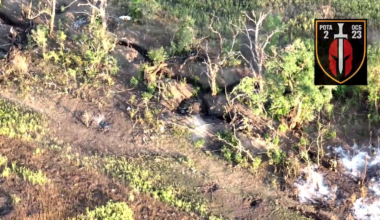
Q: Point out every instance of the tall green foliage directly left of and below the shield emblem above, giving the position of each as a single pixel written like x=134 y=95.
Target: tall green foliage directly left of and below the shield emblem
x=295 y=70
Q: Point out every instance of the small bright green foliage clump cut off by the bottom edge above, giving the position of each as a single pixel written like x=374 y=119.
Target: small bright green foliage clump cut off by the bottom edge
x=111 y=211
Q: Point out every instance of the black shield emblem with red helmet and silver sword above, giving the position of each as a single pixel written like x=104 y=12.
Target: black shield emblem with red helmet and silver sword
x=340 y=52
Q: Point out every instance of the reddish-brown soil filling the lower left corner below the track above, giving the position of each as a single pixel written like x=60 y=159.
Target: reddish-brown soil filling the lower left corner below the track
x=71 y=191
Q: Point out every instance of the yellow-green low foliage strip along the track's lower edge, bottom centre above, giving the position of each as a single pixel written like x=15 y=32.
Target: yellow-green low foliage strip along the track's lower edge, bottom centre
x=154 y=179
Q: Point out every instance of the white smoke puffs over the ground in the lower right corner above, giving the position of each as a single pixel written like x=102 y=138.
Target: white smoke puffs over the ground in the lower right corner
x=354 y=162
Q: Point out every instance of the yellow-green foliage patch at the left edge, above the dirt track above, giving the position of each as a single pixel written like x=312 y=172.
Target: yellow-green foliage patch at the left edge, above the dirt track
x=19 y=122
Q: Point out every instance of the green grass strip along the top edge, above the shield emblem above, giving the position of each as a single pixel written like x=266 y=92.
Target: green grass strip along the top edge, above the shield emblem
x=297 y=15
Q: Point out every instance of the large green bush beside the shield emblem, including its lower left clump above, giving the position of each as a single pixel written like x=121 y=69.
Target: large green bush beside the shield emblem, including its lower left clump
x=294 y=71
